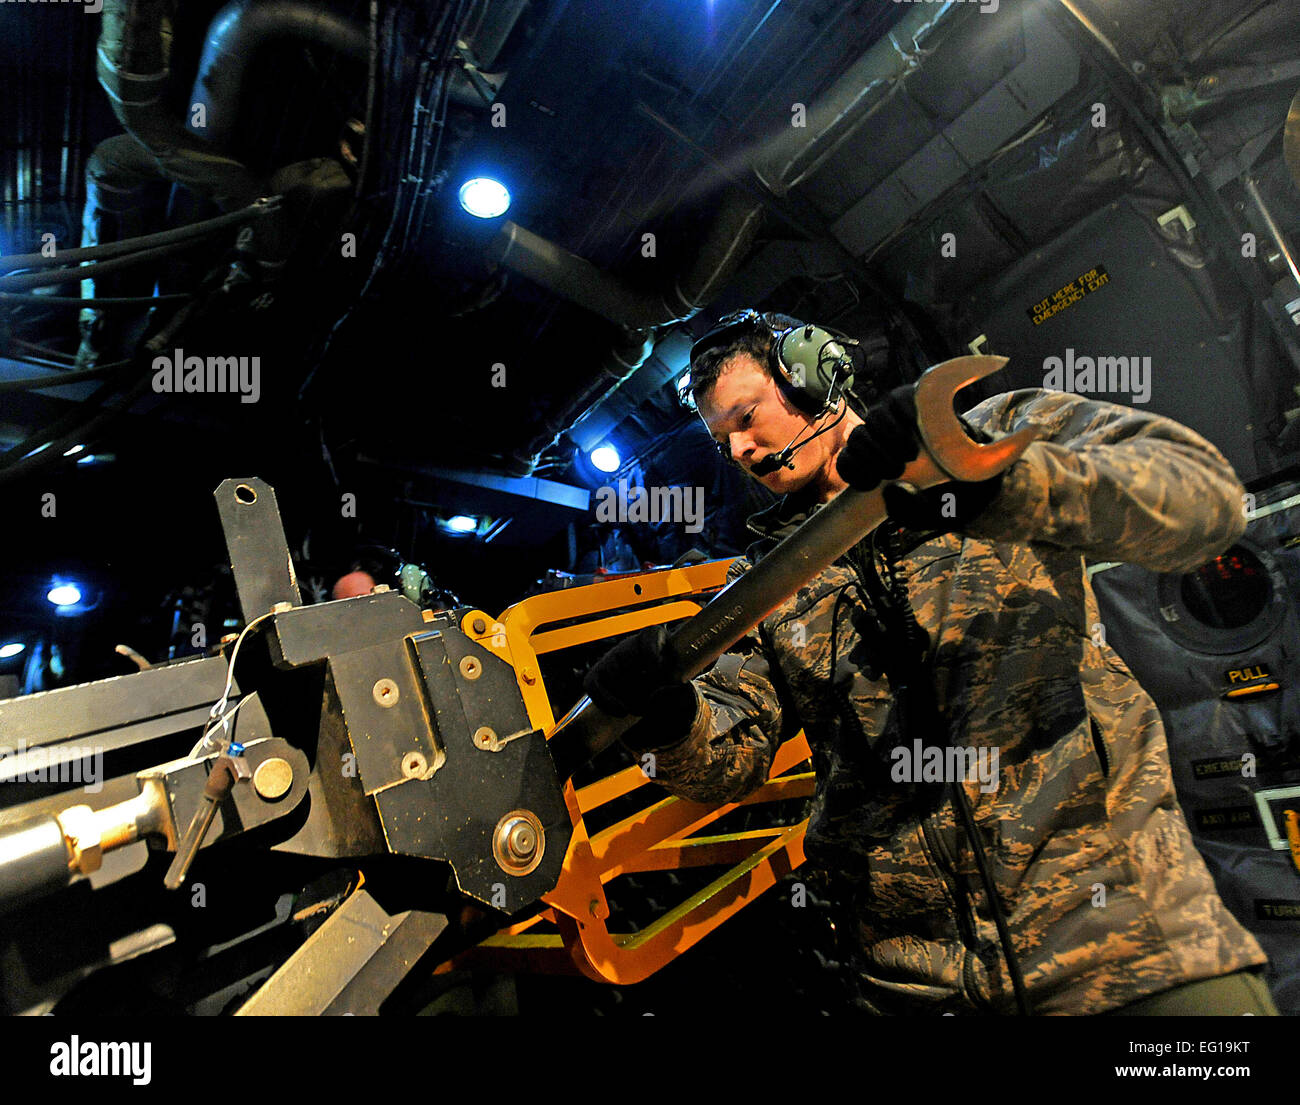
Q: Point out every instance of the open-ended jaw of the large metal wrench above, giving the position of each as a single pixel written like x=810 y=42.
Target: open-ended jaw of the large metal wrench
x=943 y=435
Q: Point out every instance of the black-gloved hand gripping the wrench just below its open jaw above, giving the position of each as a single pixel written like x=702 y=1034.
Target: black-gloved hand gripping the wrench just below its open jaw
x=882 y=448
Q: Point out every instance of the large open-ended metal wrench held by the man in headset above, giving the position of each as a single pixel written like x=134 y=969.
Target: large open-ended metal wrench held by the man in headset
x=947 y=454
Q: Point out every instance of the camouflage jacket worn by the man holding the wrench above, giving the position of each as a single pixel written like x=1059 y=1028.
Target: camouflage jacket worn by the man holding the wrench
x=1103 y=890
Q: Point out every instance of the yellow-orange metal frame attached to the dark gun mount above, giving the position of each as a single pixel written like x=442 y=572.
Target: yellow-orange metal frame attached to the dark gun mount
x=660 y=838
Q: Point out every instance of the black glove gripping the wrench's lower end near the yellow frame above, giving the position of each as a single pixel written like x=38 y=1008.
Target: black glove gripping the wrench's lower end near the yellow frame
x=636 y=678
